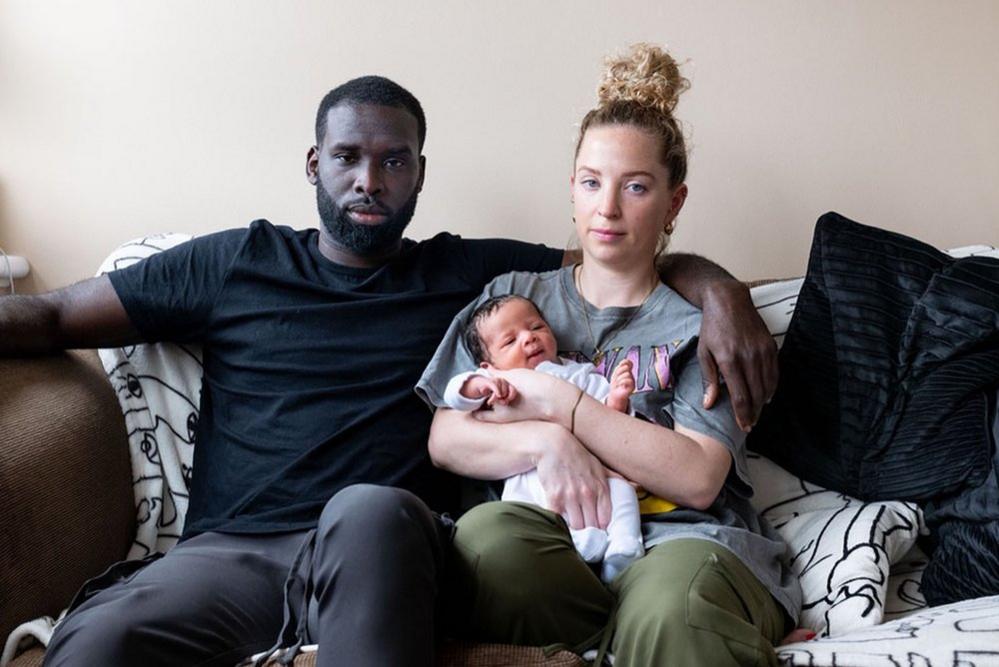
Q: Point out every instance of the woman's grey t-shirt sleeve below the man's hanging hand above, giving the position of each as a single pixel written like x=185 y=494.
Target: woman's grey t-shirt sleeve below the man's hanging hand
x=719 y=423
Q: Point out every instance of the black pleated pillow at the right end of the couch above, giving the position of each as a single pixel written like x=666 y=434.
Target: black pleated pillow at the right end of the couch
x=887 y=375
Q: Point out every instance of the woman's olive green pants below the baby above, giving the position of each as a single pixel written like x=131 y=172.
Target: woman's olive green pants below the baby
x=518 y=579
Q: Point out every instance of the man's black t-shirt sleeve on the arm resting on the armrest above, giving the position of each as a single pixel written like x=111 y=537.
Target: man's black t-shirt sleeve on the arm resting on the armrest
x=170 y=296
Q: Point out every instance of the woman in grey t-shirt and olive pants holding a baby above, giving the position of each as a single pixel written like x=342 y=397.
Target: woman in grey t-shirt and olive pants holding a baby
x=713 y=588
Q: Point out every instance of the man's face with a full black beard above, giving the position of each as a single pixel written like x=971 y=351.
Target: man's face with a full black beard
x=368 y=173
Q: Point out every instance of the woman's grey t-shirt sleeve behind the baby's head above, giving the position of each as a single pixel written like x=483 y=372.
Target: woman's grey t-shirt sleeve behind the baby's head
x=452 y=357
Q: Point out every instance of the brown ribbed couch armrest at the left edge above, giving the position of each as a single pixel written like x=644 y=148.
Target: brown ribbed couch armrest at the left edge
x=66 y=506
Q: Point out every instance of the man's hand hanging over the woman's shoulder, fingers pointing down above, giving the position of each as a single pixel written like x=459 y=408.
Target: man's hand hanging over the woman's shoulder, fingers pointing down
x=736 y=342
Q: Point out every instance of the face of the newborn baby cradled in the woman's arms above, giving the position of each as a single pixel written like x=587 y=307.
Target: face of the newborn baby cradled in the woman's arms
x=516 y=336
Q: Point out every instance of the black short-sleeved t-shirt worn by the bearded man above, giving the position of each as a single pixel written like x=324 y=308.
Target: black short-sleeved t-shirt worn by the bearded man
x=309 y=365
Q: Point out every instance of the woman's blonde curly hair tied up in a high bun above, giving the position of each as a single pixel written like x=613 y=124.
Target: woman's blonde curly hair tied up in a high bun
x=641 y=88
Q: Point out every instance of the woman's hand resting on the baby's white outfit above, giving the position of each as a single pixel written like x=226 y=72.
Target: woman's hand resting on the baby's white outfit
x=575 y=481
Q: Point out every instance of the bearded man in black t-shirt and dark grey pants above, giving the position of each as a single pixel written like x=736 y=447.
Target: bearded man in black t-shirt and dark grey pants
x=312 y=489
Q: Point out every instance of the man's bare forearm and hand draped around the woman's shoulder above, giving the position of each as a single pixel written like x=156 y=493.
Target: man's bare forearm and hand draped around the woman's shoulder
x=733 y=339
